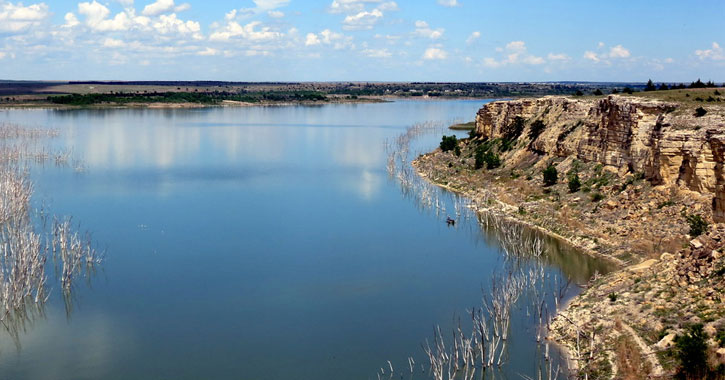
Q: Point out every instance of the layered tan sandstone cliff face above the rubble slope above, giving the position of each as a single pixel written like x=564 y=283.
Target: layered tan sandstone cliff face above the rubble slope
x=670 y=148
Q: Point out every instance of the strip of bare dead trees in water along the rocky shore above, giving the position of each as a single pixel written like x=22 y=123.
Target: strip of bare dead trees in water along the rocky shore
x=480 y=344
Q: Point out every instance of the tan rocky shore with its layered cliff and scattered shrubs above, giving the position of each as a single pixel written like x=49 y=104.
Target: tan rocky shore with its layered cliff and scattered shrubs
x=636 y=180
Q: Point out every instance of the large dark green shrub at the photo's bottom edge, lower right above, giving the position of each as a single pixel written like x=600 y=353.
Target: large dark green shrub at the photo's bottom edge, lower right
x=691 y=352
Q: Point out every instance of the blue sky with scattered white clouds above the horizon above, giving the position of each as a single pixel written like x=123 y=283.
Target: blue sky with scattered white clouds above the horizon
x=363 y=40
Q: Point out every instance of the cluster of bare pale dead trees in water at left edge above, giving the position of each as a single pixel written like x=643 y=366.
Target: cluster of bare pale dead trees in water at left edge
x=25 y=245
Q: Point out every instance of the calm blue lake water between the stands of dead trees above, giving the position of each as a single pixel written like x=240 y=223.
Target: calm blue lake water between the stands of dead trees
x=251 y=243
